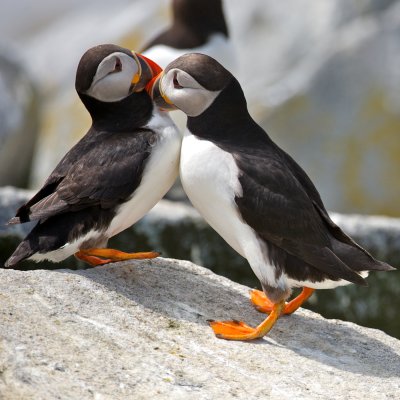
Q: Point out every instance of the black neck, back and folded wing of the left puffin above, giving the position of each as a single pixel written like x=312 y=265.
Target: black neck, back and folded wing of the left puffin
x=104 y=167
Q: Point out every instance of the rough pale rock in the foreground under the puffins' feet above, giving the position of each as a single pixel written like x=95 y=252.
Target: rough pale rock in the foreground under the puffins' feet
x=138 y=330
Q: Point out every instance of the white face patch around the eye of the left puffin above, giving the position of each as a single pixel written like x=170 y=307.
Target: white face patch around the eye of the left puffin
x=113 y=78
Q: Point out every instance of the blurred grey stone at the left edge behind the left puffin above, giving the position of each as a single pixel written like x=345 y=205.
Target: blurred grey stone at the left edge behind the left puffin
x=19 y=119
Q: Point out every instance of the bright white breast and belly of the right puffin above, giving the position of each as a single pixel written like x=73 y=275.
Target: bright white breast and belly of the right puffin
x=209 y=177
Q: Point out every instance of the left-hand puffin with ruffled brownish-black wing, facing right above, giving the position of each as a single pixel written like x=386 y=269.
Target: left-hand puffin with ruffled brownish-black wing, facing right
x=114 y=175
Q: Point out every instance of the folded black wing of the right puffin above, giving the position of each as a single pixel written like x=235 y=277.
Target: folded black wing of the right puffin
x=279 y=203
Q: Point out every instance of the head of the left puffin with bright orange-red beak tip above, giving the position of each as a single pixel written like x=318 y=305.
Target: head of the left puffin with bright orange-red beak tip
x=109 y=73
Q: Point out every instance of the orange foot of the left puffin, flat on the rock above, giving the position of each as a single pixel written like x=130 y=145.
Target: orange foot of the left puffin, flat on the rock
x=105 y=256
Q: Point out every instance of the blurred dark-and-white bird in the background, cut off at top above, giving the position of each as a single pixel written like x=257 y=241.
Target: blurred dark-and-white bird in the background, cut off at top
x=197 y=26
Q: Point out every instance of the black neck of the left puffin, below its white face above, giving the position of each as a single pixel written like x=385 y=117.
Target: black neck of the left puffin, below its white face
x=127 y=114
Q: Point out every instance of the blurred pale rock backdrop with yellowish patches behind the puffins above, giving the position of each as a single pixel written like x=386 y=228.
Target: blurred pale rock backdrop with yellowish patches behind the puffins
x=321 y=76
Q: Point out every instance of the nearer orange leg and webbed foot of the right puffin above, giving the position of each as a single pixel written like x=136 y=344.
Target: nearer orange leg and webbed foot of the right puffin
x=236 y=330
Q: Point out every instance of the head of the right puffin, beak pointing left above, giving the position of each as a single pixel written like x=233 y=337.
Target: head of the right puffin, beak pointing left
x=191 y=83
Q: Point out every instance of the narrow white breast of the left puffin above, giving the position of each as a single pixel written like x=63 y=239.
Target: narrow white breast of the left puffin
x=158 y=176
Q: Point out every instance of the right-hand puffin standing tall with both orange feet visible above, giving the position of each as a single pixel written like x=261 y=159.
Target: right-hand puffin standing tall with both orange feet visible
x=255 y=195
